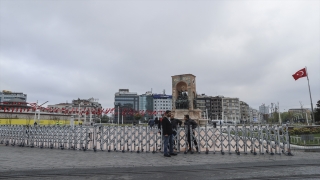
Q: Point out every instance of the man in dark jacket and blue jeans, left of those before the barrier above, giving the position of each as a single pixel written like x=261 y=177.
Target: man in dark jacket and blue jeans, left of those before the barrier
x=167 y=135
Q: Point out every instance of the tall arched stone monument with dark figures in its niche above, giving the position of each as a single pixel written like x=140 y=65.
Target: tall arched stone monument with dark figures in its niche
x=184 y=98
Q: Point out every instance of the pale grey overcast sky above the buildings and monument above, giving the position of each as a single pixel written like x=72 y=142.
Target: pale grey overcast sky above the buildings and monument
x=58 y=51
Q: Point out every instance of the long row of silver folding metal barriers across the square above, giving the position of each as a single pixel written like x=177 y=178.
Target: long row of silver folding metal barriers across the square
x=224 y=139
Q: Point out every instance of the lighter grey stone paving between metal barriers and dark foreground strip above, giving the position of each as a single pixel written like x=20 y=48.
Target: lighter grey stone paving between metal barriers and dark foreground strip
x=13 y=158
